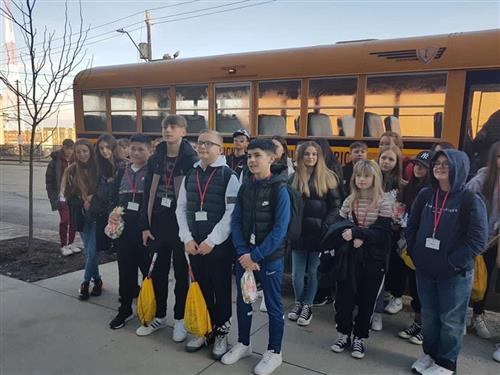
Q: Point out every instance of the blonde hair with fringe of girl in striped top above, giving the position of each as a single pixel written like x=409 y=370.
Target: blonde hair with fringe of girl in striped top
x=366 y=168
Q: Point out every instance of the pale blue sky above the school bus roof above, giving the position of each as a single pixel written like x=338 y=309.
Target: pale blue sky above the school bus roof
x=186 y=26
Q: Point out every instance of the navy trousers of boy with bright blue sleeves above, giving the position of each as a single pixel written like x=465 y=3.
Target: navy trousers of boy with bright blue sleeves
x=271 y=275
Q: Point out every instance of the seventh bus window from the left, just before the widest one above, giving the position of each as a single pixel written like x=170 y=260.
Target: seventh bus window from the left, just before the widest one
x=331 y=106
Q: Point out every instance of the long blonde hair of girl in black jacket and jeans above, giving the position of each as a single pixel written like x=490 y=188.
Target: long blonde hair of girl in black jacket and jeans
x=323 y=179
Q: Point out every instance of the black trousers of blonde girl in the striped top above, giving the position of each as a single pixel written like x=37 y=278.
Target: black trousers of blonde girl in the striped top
x=369 y=286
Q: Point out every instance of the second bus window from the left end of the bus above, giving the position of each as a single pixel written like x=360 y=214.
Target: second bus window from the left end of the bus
x=123 y=110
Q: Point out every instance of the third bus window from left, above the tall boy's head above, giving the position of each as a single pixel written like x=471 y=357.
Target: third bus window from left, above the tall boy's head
x=155 y=107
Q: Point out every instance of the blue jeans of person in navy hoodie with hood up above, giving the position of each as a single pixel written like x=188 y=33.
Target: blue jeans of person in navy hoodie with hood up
x=444 y=307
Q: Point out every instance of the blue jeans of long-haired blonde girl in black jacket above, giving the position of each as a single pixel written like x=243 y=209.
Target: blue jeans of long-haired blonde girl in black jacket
x=300 y=261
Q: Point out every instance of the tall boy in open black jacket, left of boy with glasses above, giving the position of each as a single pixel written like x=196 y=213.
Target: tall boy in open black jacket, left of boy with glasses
x=172 y=159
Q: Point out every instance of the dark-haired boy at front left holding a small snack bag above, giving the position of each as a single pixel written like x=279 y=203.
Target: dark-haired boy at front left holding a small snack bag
x=128 y=193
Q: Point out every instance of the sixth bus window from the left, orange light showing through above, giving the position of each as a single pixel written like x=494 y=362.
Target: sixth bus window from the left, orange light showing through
x=279 y=107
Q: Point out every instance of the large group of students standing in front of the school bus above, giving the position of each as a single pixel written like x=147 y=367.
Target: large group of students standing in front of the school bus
x=218 y=216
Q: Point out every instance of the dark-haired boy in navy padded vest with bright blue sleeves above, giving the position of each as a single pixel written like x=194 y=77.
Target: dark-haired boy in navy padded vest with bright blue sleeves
x=258 y=227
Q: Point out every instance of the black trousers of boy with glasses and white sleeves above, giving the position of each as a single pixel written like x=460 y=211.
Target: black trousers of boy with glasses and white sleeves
x=214 y=274
